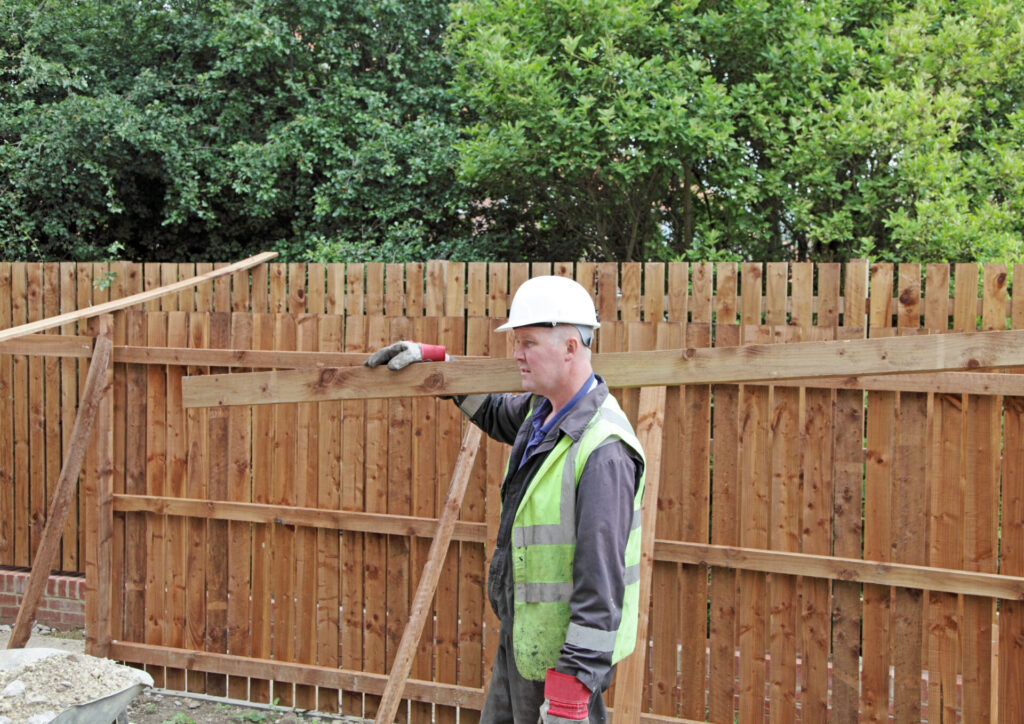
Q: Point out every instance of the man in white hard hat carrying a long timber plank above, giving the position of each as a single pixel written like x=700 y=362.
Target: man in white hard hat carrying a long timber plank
x=565 y=577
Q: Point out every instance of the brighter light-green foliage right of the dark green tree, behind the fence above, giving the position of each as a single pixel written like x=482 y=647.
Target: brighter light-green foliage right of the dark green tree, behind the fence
x=759 y=130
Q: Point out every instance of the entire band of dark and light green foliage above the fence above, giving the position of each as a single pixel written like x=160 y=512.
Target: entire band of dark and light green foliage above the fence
x=513 y=130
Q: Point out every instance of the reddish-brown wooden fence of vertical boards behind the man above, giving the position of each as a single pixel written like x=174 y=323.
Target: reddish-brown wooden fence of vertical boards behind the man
x=272 y=552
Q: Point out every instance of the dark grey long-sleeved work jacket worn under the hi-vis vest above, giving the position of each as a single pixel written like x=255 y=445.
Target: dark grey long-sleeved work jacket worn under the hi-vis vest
x=605 y=516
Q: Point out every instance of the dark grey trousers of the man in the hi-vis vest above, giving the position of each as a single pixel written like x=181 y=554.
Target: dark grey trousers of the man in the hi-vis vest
x=514 y=700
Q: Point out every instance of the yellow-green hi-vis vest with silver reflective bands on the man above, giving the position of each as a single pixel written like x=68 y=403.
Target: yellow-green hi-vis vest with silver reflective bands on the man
x=544 y=545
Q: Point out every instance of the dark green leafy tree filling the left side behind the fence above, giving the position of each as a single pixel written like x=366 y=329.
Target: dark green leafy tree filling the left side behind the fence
x=205 y=131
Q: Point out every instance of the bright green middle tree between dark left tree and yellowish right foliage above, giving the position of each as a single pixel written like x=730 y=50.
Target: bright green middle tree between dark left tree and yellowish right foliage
x=588 y=121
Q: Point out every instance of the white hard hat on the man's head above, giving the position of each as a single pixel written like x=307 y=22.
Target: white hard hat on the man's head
x=551 y=301
